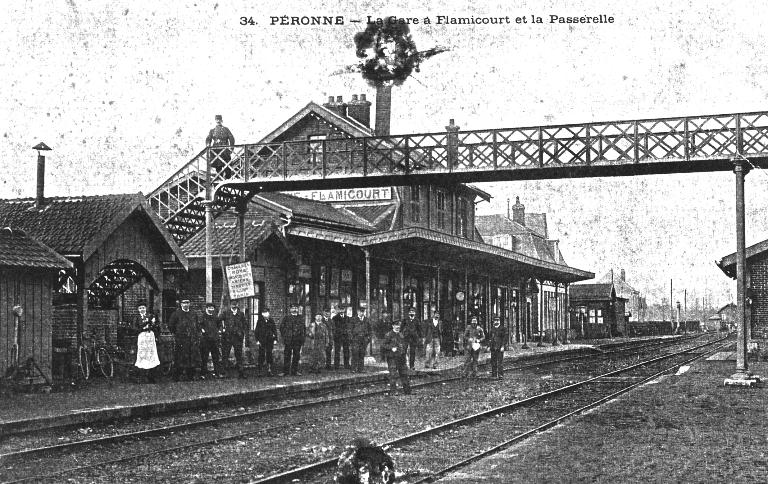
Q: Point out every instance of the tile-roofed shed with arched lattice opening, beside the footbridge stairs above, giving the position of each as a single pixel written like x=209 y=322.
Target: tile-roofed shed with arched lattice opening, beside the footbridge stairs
x=118 y=249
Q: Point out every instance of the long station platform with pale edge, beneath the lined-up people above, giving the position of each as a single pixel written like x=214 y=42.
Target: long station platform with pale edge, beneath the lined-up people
x=99 y=400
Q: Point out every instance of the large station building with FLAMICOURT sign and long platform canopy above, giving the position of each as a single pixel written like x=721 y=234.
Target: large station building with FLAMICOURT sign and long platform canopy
x=387 y=248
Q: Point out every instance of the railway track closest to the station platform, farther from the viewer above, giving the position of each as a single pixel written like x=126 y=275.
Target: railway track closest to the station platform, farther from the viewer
x=86 y=446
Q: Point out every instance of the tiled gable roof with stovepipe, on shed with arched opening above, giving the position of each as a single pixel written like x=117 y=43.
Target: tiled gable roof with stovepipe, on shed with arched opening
x=78 y=225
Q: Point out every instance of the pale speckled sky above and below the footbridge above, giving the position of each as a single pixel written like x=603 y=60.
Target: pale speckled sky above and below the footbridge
x=125 y=93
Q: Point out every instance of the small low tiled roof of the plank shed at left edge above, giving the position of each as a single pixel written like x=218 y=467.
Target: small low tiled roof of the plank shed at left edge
x=20 y=250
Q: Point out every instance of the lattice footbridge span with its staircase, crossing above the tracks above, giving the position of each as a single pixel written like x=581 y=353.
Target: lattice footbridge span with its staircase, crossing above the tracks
x=617 y=148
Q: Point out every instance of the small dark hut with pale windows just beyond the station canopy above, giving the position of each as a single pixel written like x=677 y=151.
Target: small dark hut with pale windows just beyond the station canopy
x=597 y=311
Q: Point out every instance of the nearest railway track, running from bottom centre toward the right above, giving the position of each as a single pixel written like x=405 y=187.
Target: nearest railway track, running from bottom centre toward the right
x=549 y=409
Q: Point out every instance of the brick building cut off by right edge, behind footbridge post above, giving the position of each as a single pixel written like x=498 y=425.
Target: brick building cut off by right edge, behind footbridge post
x=757 y=287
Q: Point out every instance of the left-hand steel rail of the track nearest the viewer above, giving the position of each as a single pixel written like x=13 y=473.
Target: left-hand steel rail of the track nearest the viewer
x=324 y=465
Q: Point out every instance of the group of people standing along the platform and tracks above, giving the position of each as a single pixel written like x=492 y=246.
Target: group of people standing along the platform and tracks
x=327 y=342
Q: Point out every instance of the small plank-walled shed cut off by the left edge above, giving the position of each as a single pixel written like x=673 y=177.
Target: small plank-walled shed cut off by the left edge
x=28 y=276
